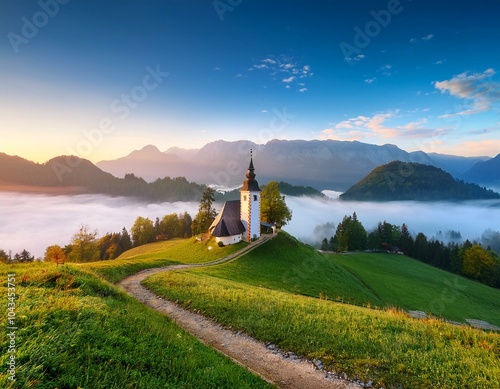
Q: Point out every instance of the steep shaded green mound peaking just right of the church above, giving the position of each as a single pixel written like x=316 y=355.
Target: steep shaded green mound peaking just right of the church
x=286 y=264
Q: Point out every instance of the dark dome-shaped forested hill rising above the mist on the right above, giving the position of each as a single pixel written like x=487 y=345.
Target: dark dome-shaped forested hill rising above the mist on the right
x=413 y=181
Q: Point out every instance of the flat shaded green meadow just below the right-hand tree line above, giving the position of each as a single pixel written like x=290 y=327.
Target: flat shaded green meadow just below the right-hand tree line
x=407 y=283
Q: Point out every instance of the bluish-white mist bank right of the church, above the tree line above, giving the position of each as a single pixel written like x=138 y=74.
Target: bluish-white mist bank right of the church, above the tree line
x=470 y=218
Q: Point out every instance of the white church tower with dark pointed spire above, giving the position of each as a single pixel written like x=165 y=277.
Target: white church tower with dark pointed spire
x=250 y=204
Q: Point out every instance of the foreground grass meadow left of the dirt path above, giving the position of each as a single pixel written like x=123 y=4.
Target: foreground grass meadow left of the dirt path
x=76 y=330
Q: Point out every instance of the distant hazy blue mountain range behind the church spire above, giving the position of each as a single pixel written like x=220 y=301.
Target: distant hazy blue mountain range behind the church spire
x=326 y=164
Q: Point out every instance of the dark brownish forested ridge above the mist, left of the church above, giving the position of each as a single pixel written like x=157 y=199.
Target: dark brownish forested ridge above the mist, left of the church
x=70 y=174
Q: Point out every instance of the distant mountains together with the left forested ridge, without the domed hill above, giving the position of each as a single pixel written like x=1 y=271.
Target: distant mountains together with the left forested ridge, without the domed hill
x=146 y=173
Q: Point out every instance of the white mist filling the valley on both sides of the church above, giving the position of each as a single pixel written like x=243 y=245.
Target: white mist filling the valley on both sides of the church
x=34 y=222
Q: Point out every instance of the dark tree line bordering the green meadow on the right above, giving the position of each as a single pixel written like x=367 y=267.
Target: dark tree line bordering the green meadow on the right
x=468 y=258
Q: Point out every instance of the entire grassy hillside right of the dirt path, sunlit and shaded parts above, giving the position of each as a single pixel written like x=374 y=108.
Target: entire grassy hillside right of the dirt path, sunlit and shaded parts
x=267 y=294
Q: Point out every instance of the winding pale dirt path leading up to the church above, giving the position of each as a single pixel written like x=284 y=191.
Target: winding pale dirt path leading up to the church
x=246 y=351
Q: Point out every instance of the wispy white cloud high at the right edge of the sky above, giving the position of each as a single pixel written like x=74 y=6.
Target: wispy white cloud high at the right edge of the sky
x=476 y=88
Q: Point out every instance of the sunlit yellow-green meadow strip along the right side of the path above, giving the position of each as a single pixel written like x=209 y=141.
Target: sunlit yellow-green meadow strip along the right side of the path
x=387 y=347
